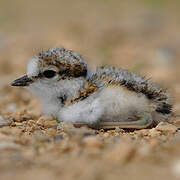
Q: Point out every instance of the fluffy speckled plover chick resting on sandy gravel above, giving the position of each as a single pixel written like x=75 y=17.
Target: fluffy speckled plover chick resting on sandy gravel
x=108 y=98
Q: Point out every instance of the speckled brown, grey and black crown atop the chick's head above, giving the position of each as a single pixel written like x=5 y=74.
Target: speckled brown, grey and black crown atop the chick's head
x=68 y=62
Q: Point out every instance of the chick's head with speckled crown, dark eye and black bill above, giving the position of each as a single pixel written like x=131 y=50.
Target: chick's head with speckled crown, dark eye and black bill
x=53 y=70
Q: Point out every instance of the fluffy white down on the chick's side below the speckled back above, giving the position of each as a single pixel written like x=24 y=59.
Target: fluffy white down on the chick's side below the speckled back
x=111 y=104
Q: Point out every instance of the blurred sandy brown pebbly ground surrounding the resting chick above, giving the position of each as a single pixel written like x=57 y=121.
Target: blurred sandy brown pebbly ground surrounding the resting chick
x=142 y=36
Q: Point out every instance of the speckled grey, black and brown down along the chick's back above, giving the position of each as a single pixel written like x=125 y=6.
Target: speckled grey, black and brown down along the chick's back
x=107 y=75
